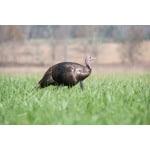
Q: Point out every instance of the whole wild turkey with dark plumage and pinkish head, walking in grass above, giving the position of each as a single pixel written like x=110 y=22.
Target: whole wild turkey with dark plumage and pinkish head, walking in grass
x=66 y=74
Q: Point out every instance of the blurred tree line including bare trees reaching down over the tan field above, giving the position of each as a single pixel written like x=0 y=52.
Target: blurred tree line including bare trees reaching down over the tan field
x=131 y=37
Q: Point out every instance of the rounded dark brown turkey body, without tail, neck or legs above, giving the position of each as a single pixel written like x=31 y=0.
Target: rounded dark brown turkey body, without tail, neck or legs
x=69 y=74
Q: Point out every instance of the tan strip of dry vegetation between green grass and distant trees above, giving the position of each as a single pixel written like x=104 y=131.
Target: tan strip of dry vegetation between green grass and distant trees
x=36 y=55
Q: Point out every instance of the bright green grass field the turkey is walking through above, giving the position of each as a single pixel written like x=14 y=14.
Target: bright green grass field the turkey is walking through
x=106 y=99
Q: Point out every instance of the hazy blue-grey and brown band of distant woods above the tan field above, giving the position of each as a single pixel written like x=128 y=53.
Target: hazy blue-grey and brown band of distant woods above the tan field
x=107 y=33
